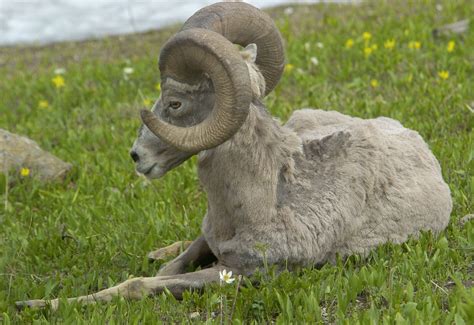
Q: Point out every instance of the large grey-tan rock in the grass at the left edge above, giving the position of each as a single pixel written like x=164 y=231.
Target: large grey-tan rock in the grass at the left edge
x=26 y=157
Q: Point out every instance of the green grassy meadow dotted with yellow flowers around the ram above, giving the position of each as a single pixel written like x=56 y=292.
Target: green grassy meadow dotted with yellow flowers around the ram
x=94 y=230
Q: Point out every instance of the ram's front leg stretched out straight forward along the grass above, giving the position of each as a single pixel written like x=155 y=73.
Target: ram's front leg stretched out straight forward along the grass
x=138 y=288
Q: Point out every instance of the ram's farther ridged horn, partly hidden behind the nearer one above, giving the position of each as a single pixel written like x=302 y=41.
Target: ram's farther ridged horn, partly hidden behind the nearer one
x=244 y=24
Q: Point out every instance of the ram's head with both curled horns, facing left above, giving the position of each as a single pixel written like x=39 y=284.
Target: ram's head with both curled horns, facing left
x=207 y=84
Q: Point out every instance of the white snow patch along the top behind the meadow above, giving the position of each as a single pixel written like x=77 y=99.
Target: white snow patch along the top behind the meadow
x=47 y=21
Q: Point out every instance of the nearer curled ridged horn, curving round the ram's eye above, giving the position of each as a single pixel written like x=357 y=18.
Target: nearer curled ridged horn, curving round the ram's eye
x=184 y=58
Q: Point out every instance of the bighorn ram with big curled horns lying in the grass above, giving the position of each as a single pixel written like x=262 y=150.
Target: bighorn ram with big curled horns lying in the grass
x=320 y=185
